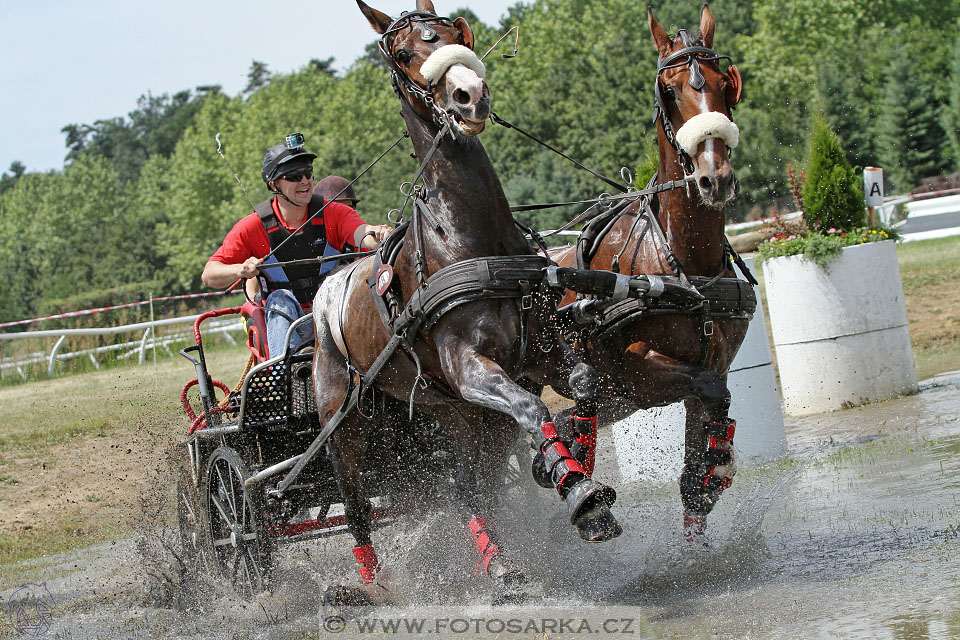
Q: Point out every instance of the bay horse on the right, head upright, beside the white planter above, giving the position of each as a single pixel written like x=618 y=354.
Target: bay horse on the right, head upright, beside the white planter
x=651 y=356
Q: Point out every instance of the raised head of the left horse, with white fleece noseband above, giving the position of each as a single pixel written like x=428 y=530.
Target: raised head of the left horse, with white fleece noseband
x=434 y=66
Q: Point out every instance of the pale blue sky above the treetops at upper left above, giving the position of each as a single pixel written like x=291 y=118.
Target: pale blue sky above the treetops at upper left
x=79 y=61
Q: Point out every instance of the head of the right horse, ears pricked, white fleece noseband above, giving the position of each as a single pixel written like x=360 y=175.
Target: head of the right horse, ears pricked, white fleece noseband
x=694 y=98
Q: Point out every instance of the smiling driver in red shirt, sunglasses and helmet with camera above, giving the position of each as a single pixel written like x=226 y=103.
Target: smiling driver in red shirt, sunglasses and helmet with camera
x=287 y=293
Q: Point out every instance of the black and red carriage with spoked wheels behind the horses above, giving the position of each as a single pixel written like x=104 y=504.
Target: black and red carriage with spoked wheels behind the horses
x=230 y=513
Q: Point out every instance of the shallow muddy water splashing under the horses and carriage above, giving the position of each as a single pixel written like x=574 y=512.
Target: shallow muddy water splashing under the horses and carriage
x=854 y=534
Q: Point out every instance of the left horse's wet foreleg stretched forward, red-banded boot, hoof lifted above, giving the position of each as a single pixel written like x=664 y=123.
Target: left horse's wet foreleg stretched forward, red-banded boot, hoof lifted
x=481 y=381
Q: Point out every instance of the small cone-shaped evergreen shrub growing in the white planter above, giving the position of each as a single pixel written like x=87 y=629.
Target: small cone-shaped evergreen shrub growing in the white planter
x=832 y=195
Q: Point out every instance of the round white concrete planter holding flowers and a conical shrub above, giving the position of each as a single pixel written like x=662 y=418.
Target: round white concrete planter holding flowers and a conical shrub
x=840 y=335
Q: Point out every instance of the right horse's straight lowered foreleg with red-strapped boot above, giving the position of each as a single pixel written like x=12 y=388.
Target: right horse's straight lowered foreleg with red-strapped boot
x=708 y=464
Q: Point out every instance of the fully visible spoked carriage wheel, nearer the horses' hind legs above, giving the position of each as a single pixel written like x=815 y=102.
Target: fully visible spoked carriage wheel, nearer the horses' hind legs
x=242 y=550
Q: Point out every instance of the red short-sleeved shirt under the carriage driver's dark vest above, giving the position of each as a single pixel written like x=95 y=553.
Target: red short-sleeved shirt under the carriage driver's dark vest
x=248 y=238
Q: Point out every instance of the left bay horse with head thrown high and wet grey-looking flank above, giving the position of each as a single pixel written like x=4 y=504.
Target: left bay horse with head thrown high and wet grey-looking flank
x=457 y=359
